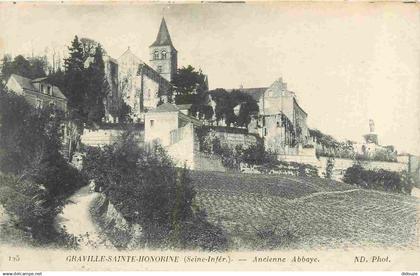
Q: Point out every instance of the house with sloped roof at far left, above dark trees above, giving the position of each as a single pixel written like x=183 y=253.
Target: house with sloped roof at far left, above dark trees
x=38 y=92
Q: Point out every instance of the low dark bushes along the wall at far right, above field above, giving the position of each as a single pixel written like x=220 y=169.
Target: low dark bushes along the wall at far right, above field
x=383 y=180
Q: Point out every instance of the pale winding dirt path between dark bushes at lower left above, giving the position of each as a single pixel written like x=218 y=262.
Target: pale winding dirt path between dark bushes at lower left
x=77 y=220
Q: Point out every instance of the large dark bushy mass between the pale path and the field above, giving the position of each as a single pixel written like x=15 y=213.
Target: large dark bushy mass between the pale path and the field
x=146 y=188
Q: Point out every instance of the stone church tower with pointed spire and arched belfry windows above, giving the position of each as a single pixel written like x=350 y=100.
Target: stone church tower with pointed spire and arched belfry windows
x=163 y=55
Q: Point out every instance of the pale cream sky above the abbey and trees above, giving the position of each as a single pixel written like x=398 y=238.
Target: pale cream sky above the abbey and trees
x=346 y=62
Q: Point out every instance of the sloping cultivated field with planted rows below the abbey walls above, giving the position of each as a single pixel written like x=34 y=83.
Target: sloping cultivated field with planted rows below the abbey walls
x=268 y=211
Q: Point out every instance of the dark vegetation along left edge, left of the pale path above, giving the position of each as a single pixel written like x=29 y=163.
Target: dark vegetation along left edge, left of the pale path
x=36 y=179
